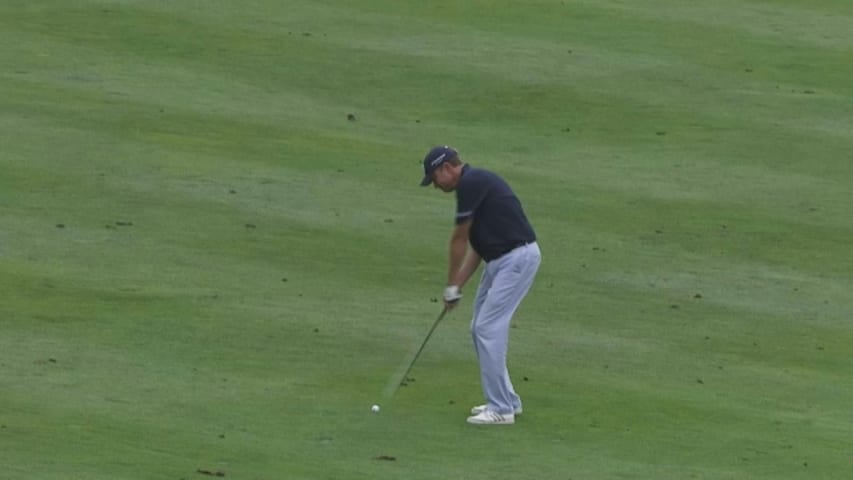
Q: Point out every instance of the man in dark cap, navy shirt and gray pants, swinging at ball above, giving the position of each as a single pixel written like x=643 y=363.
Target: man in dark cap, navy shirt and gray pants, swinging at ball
x=489 y=217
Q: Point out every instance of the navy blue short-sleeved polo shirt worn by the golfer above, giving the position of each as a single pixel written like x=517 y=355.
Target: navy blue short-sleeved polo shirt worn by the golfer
x=498 y=221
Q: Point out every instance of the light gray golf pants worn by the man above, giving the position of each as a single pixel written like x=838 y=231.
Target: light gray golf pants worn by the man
x=505 y=282
